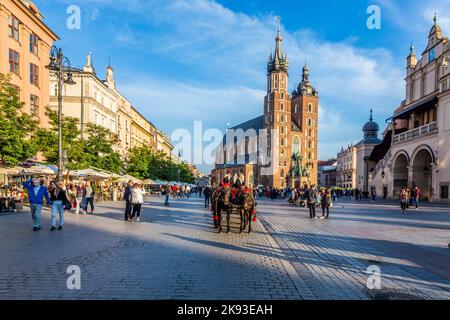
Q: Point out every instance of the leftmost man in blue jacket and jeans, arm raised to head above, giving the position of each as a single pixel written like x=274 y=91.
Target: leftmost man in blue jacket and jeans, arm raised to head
x=36 y=194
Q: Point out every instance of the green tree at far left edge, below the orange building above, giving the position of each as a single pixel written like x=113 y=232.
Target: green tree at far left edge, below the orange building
x=17 y=128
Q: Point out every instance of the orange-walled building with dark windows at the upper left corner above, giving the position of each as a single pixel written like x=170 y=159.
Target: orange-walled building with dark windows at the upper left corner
x=25 y=42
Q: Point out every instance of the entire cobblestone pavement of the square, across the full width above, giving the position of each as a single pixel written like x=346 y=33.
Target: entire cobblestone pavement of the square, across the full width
x=174 y=253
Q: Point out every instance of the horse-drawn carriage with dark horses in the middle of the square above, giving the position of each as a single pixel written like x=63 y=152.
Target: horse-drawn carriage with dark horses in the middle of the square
x=236 y=200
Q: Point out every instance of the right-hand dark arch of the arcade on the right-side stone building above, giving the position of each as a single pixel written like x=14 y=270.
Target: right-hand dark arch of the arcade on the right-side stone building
x=422 y=172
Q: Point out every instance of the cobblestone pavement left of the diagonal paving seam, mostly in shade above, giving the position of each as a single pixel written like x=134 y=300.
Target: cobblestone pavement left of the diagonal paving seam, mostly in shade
x=174 y=253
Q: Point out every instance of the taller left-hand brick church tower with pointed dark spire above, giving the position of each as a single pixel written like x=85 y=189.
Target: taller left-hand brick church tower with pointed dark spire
x=277 y=117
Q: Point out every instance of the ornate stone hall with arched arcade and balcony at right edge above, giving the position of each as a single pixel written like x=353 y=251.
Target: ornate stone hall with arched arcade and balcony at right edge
x=416 y=148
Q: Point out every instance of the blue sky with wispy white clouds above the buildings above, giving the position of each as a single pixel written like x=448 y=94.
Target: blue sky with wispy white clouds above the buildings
x=180 y=61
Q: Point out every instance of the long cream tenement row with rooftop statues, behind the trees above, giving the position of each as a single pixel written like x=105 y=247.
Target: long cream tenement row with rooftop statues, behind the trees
x=98 y=101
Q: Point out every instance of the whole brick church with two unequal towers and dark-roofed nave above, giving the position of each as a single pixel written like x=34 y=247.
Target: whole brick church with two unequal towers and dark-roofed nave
x=278 y=148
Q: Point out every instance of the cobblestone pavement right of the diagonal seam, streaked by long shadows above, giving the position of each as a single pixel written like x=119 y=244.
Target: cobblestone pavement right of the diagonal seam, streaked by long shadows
x=332 y=256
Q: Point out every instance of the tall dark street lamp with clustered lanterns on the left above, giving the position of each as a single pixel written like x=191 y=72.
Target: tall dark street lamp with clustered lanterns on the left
x=63 y=71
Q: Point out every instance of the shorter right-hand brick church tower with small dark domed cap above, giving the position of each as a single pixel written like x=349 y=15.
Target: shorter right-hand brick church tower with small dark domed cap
x=305 y=119
